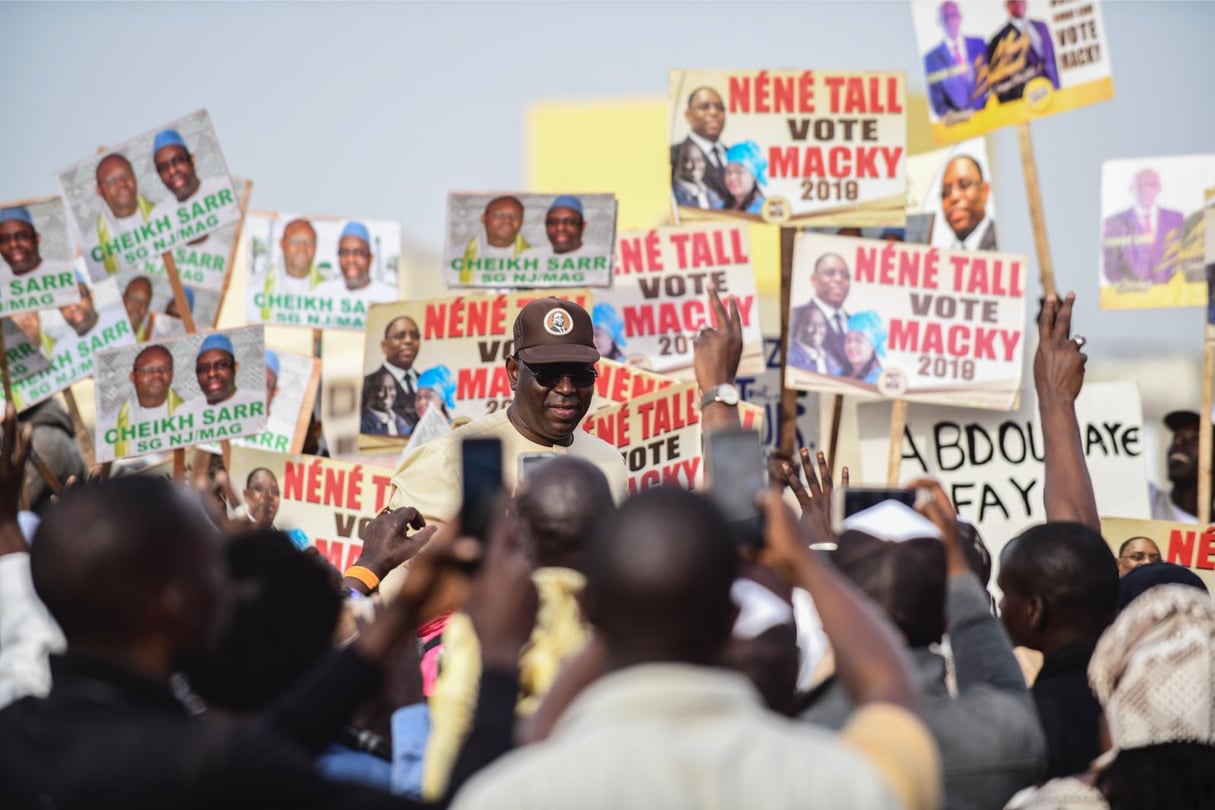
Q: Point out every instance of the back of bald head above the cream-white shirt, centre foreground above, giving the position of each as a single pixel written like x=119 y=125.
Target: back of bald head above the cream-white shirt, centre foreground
x=659 y=575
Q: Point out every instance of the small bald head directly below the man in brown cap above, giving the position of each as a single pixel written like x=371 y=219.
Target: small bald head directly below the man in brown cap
x=561 y=505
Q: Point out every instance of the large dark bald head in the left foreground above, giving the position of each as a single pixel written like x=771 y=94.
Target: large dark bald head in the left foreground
x=104 y=564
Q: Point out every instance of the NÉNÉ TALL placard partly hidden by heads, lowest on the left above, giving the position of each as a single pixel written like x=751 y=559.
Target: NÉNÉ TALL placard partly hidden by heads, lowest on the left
x=329 y=502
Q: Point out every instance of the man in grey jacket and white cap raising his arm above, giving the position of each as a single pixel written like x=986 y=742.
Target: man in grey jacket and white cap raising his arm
x=992 y=744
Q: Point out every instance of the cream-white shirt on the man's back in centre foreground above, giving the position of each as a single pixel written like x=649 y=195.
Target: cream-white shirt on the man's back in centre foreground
x=677 y=738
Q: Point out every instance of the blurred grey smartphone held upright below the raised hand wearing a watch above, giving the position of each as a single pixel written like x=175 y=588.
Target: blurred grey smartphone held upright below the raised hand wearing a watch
x=737 y=474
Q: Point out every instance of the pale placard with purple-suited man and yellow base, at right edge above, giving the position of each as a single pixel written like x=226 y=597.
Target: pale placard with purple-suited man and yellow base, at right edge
x=1152 y=243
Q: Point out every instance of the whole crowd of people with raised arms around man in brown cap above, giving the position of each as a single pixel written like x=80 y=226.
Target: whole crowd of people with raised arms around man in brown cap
x=597 y=649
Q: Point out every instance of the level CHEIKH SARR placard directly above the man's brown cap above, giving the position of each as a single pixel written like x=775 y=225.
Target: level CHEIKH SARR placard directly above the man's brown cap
x=513 y=240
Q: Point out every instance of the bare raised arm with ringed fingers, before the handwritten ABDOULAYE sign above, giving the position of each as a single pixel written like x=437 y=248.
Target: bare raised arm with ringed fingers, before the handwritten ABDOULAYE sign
x=1059 y=376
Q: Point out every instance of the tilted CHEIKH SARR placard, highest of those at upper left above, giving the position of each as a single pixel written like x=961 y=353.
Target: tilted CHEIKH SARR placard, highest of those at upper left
x=150 y=196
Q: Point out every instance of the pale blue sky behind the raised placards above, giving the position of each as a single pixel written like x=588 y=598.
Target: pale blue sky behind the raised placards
x=382 y=109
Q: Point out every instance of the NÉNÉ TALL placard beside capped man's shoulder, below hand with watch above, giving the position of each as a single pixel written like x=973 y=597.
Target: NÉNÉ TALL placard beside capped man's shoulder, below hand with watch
x=659 y=435
